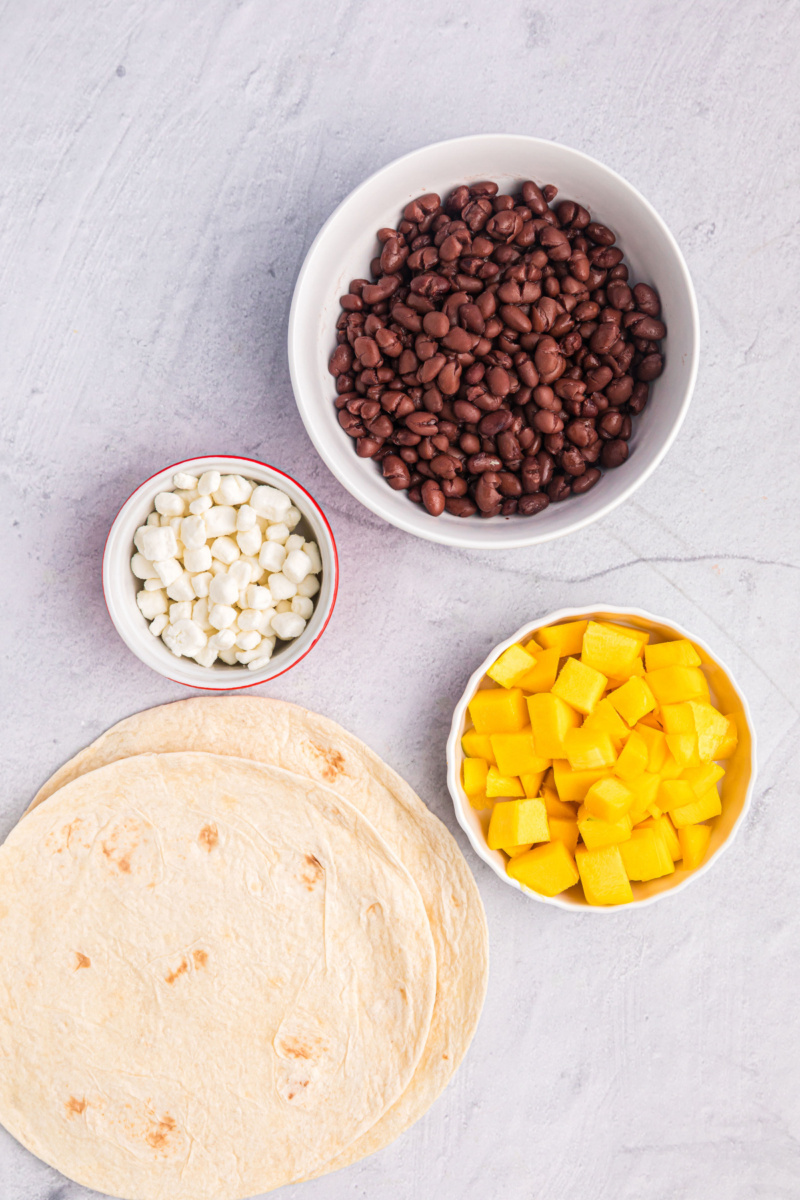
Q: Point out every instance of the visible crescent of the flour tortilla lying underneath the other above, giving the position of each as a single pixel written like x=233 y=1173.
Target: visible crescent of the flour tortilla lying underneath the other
x=315 y=747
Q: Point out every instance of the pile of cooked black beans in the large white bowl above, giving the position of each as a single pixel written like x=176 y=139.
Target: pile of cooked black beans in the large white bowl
x=497 y=359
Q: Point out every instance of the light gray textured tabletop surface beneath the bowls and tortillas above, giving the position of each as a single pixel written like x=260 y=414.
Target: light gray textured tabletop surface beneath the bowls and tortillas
x=165 y=169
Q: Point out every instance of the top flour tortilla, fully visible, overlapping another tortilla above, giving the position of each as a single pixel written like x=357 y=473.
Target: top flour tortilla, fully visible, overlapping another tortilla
x=215 y=976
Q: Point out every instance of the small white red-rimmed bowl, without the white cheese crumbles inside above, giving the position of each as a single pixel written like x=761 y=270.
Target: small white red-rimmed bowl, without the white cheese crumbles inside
x=121 y=586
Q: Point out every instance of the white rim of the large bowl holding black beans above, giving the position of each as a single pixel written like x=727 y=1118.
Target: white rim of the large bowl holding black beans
x=413 y=524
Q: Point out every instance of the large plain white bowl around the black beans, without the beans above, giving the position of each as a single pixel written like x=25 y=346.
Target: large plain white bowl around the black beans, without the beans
x=347 y=243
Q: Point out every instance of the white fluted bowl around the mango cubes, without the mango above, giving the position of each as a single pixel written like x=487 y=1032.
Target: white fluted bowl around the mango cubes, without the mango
x=737 y=787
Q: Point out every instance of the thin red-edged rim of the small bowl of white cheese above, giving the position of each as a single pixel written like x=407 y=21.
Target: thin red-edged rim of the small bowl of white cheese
x=110 y=590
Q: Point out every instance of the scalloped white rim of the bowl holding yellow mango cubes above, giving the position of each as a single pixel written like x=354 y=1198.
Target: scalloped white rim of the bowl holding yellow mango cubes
x=454 y=752
